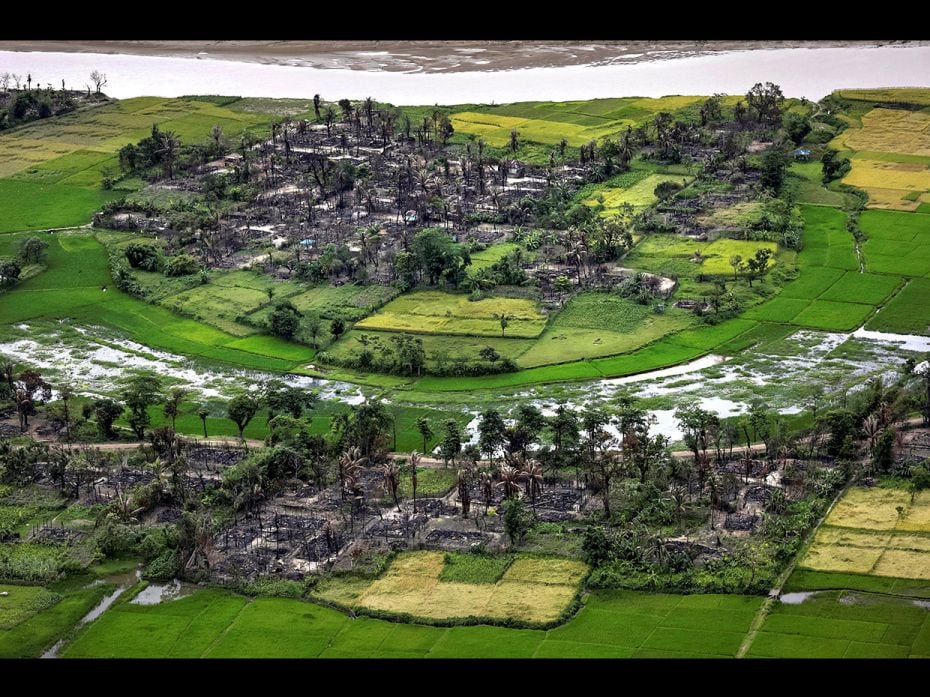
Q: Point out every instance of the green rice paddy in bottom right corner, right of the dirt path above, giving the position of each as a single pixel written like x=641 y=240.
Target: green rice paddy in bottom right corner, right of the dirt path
x=844 y=624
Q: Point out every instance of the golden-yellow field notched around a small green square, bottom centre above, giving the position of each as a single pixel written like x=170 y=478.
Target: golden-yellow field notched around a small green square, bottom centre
x=532 y=589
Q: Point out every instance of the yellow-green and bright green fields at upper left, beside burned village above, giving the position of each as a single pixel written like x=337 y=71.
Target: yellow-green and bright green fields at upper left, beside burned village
x=51 y=170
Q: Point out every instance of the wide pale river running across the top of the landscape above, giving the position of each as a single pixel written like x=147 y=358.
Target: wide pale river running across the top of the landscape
x=801 y=72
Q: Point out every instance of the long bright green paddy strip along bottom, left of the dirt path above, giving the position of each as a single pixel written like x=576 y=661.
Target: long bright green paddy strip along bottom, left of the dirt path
x=215 y=623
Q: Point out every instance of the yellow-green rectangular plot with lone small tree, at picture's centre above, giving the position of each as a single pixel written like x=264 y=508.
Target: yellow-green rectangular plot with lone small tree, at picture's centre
x=435 y=312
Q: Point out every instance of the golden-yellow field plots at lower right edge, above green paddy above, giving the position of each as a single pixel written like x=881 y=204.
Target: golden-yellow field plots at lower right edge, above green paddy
x=878 y=532
